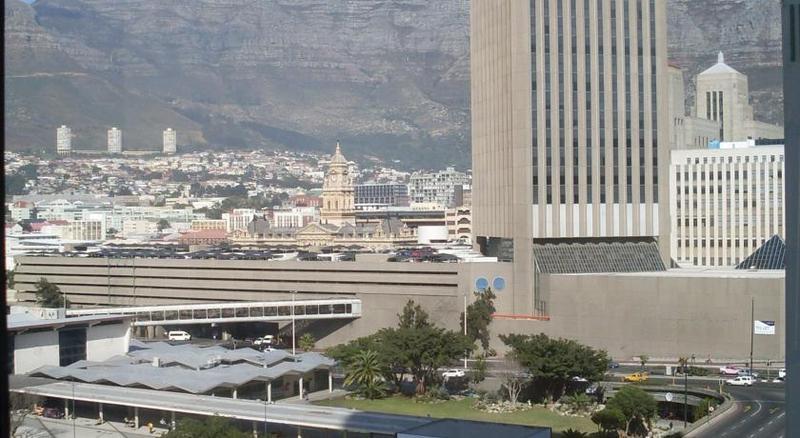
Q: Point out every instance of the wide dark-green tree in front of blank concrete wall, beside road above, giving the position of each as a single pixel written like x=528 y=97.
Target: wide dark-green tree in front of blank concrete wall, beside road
x=554 y=362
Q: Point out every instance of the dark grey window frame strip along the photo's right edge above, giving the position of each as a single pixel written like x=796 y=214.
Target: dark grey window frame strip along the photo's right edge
x=791 y=94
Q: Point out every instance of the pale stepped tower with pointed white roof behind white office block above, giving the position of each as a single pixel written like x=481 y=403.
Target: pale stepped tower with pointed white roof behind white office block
x=723 y=96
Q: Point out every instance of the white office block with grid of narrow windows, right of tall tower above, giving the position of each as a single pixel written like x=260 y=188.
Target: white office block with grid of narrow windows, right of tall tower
x=725 y=203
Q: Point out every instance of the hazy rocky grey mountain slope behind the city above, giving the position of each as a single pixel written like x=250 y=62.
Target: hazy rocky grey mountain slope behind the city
x=390 y=78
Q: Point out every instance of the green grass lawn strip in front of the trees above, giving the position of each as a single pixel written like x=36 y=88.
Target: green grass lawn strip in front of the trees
x=537 y=416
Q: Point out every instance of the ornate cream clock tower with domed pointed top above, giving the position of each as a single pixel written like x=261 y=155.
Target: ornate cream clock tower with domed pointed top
x=337 y=192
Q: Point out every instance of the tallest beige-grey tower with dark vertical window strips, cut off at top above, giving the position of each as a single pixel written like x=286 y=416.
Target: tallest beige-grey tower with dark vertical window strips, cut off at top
x=570 y=122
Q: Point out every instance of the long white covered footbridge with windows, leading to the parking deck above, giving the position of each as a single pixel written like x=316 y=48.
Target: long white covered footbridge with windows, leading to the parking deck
x=266 y=311
